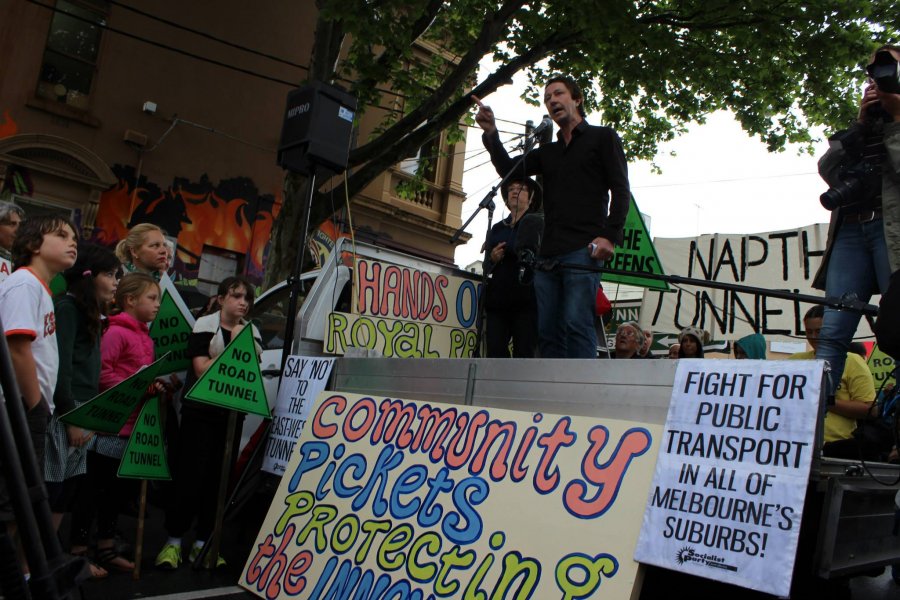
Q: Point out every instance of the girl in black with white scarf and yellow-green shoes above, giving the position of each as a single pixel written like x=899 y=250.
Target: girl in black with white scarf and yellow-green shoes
x=201 y=442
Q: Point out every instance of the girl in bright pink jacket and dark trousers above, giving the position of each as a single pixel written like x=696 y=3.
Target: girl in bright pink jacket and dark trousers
x=125 y=348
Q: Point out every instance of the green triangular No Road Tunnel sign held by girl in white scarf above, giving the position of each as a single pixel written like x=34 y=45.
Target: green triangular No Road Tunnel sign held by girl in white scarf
x=233 y=380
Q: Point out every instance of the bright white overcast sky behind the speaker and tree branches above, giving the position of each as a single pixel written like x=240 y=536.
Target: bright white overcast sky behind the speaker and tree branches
x=721 y=181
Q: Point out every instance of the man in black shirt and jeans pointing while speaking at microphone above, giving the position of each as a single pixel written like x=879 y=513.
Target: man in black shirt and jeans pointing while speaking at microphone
x=586 y=197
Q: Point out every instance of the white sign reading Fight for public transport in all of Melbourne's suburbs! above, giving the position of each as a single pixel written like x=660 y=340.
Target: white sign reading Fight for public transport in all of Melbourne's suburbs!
x=730 y=482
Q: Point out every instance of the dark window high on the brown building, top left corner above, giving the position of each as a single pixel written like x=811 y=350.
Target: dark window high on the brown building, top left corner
x=70 y=58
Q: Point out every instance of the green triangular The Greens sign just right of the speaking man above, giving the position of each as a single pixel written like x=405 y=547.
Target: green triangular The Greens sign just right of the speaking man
x=637 y=254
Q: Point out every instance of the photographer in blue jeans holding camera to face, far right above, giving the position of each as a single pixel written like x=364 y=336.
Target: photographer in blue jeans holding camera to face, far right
x=862 y=166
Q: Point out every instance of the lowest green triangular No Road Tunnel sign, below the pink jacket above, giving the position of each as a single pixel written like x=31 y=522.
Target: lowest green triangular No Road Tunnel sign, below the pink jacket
x=145 y=454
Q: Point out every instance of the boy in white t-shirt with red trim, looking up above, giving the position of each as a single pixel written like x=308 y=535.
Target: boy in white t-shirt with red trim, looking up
x=44 y=246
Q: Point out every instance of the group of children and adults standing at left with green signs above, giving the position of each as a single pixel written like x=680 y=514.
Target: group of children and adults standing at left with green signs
x=68 y=347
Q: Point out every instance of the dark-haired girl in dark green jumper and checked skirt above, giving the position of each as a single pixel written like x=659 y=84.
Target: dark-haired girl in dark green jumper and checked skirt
x=80 y=313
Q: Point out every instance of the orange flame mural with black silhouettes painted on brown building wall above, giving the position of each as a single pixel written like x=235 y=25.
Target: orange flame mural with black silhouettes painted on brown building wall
x=230 y=214
